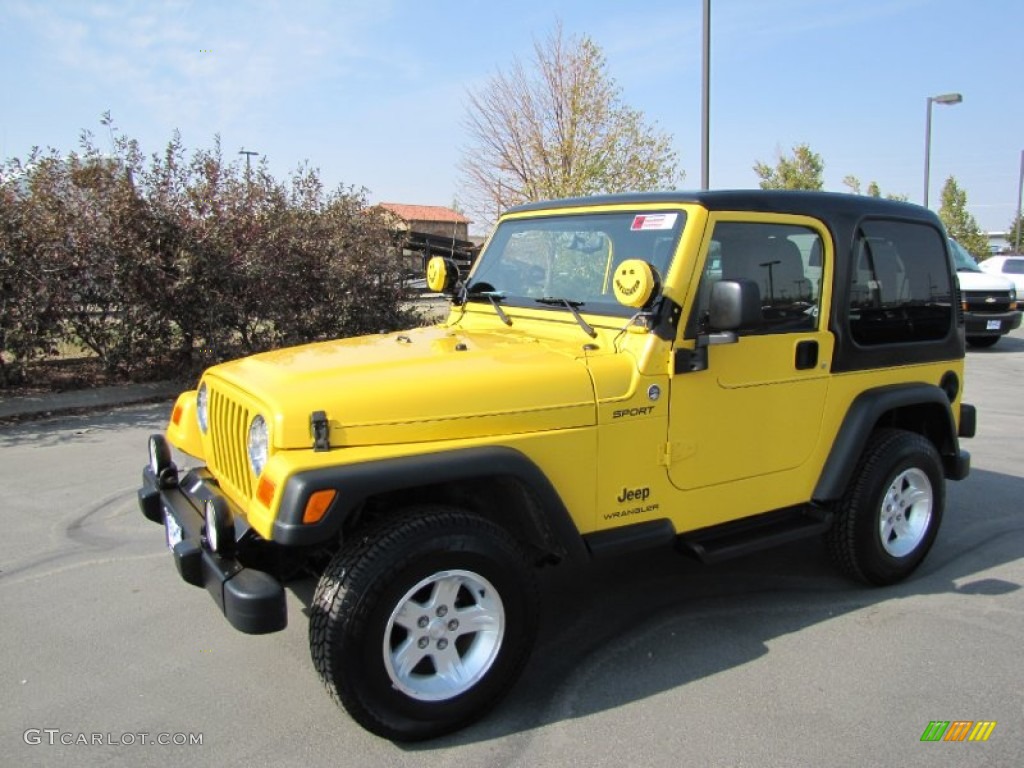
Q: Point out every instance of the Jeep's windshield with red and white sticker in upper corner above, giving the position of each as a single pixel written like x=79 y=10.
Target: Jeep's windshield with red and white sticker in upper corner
x=573 y=258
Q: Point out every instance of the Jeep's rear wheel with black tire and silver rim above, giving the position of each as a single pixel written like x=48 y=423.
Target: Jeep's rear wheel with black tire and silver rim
x=892 y=509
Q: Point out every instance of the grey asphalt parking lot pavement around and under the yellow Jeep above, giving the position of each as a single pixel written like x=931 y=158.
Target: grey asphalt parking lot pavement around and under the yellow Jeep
x=770 y=661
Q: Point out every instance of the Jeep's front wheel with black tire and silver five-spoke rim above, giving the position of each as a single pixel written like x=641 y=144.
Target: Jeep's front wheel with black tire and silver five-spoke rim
x=423 y=623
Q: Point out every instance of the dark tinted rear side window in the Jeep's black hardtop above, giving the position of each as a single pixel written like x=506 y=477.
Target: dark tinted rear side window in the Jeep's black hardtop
x=901 y=289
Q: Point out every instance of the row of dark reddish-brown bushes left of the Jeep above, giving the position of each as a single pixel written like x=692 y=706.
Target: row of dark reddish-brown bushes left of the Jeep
x=175 y=262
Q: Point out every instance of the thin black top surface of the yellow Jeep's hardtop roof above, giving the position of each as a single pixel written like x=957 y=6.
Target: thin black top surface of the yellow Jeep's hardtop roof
x=819 y=204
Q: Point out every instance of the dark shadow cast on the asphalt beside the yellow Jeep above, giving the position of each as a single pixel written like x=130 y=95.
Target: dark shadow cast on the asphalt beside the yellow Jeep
x=621 y=632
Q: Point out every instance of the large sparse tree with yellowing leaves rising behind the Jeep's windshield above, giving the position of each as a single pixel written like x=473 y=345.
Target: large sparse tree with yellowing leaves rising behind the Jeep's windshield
x=559 y=127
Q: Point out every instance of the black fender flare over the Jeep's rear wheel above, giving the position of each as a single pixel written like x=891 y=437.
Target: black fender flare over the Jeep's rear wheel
x=867 y=412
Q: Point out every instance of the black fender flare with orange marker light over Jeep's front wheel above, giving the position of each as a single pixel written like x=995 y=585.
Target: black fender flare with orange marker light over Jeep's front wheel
x=357 y=483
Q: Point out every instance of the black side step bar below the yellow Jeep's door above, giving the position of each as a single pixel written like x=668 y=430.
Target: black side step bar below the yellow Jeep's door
x=744 y=537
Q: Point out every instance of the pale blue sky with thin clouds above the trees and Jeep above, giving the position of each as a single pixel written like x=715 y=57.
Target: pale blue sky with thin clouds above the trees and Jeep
x=374 y=94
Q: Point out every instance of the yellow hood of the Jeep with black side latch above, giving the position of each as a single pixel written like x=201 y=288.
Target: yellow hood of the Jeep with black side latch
x=425 y=385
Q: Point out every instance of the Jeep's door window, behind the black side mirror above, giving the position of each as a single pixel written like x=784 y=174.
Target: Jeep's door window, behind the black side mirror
x=784 y=261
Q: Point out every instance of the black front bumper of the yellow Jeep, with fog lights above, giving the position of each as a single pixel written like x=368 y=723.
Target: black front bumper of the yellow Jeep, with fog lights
x=253 y=602
